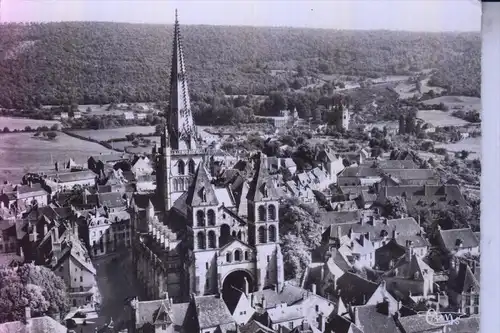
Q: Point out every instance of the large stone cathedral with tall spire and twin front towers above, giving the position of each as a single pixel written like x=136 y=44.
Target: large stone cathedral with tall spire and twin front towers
x=198 y=235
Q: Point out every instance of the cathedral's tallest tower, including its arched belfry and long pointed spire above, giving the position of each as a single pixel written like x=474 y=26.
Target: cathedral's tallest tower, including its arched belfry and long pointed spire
x=176 y=171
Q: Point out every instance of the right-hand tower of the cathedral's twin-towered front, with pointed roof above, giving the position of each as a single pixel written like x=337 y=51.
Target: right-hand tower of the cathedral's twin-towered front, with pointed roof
x=263 y=229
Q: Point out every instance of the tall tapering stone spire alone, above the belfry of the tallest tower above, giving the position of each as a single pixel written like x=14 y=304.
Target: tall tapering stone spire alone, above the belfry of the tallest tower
x=180 y=122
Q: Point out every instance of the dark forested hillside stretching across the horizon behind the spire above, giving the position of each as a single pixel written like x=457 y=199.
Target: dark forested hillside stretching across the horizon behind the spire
x=93 y=63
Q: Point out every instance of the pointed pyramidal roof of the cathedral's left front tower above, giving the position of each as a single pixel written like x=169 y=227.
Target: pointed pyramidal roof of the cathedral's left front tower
x=201 y=185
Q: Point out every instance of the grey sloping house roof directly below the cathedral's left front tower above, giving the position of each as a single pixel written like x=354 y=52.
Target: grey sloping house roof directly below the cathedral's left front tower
x=212 y=311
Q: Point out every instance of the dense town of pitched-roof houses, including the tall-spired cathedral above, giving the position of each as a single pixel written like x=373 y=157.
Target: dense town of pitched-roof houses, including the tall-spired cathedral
x=200 y=229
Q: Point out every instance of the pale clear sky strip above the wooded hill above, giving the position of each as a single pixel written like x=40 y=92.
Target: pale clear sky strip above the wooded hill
x=410 y=15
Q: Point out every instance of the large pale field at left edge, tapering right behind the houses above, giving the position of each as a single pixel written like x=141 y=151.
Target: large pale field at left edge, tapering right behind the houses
x=21 y=153
